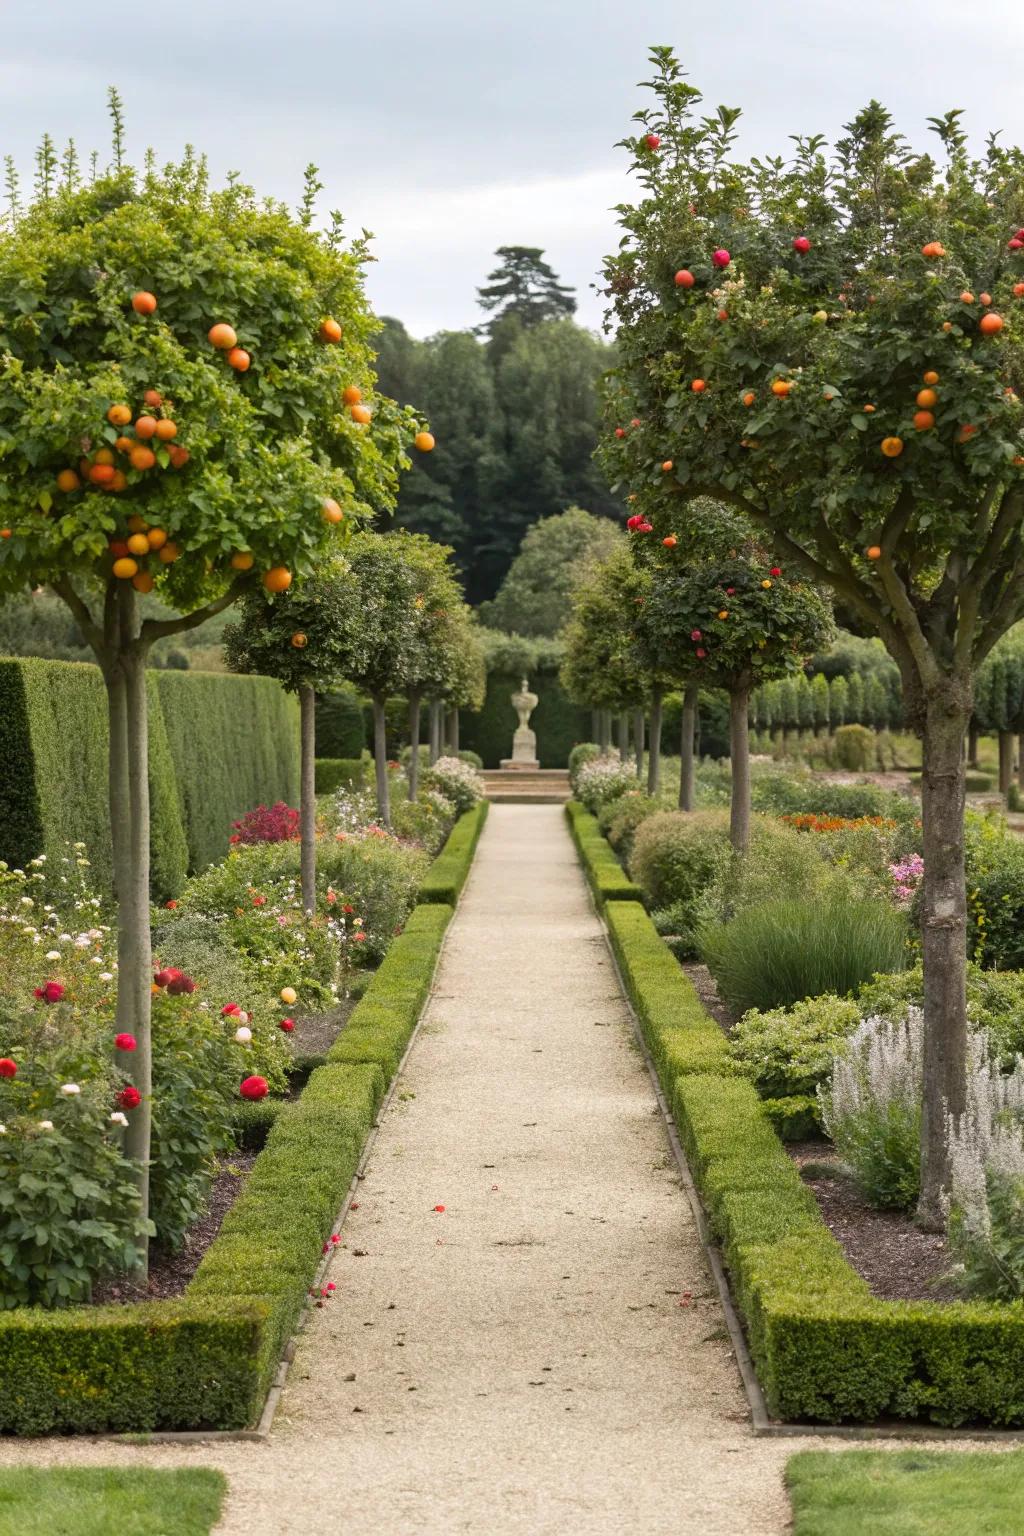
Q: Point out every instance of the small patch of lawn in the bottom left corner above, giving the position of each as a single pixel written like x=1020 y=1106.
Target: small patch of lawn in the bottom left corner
x=107 y=1501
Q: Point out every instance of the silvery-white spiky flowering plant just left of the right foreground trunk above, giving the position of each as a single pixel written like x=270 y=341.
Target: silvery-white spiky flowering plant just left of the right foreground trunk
x=873 y=1108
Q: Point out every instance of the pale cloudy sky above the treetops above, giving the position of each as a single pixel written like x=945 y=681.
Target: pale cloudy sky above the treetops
x=461 y=125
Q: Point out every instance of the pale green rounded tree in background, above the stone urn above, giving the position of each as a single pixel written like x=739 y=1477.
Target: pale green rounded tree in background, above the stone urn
x=557 y=554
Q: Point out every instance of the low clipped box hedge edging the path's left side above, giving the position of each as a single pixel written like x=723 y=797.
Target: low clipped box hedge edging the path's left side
x=210 y=1360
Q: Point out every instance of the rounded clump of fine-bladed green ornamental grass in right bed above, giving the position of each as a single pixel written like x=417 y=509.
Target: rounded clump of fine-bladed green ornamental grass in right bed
x=782 y=952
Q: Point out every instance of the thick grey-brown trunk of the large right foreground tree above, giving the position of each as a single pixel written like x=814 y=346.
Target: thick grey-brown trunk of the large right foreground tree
x=943 y=945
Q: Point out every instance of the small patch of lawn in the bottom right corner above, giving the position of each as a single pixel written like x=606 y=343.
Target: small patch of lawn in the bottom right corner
x=907 y=1494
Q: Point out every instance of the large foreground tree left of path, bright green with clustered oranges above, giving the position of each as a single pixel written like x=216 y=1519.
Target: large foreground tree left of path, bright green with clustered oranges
x=187 y=406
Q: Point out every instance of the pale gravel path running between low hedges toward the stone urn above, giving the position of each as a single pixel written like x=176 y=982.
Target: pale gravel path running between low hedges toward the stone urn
x=546 y=1356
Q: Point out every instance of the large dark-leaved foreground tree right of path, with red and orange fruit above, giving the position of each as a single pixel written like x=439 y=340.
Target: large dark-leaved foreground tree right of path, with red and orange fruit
x=834 y=346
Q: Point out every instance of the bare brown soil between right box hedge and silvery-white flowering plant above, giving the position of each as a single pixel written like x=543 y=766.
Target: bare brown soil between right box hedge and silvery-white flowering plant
x=899 y=1262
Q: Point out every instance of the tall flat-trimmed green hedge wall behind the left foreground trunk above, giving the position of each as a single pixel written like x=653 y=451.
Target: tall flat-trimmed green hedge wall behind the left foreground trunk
x=217 y=746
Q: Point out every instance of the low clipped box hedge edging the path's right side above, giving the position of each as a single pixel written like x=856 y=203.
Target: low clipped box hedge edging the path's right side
x=825 y=1349
